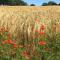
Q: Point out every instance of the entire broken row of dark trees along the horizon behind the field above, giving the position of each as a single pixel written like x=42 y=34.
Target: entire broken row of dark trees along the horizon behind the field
x=22 y=3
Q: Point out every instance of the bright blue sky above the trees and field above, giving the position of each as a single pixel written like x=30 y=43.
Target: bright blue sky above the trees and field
x=39 y=2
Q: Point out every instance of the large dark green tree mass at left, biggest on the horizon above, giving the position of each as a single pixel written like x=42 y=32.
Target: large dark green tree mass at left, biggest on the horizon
x=12 y=2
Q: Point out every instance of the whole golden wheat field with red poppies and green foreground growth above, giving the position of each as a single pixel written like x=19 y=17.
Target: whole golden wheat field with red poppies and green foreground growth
x=29 y=33
